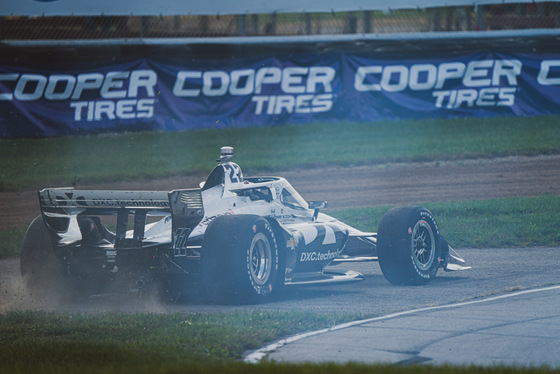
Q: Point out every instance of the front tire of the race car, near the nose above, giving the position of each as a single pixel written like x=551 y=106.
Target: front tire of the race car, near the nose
x=409 y=246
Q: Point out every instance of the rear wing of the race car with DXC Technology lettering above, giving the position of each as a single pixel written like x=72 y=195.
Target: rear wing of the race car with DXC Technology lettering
x=63 y=209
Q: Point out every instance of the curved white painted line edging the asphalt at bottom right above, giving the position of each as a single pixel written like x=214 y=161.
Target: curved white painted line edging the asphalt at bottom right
x=256 y=356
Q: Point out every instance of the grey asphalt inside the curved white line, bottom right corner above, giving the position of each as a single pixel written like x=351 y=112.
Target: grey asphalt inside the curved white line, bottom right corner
x=497 y=330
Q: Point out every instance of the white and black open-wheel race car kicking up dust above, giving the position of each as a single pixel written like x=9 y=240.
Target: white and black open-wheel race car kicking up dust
x=236 y=239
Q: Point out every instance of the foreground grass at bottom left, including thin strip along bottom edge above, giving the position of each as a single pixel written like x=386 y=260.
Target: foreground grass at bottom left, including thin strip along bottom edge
x=41 y=342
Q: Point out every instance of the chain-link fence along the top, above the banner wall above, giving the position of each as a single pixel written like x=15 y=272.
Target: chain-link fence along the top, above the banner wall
x=465 y=18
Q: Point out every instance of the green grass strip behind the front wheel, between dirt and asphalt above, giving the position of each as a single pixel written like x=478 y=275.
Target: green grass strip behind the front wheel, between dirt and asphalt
x=515 y=222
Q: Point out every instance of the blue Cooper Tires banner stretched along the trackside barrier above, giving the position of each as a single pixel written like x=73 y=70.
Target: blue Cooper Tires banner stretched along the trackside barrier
x=156 y=94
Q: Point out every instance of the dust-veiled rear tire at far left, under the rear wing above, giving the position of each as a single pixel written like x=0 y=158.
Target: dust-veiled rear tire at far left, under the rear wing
x=41 y=271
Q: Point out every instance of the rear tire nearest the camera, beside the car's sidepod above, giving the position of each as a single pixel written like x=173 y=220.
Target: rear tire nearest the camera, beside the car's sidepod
x=239 y=260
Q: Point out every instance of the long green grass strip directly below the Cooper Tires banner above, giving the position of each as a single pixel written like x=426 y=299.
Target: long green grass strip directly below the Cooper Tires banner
x=65 y=161
